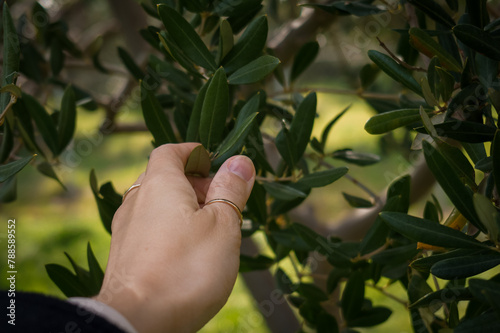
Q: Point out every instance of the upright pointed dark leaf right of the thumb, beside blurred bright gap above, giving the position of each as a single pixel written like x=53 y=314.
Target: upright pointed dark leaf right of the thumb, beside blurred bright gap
x=302 y=124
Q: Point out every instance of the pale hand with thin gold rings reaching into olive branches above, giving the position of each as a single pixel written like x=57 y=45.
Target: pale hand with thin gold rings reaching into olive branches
x=173 y=261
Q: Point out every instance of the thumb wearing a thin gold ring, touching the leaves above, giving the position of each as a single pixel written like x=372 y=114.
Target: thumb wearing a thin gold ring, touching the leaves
x=233 y=182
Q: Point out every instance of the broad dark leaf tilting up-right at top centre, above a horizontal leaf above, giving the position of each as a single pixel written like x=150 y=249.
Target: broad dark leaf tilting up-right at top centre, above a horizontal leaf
x=249 y=46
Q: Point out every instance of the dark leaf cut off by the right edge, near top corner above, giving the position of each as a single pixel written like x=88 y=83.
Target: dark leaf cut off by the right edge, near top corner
x=478 y=39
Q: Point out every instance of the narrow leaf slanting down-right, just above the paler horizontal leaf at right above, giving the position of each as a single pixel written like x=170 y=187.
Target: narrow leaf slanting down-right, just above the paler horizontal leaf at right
x=394 y=70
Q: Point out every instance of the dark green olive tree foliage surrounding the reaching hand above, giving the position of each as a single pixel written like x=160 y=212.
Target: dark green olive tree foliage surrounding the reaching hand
x=205 y=82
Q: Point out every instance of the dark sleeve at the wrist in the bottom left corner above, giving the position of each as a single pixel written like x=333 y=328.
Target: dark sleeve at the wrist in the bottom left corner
x=42 y=314
